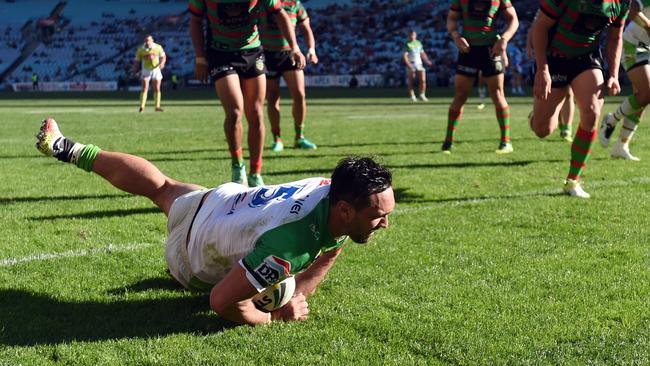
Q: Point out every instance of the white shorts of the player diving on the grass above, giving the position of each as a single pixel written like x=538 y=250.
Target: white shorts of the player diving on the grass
x=181 y=216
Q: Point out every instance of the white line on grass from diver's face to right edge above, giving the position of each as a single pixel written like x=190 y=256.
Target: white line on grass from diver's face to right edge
x=478 y=200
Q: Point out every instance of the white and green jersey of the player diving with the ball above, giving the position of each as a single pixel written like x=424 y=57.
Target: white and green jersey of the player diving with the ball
x=271 y=231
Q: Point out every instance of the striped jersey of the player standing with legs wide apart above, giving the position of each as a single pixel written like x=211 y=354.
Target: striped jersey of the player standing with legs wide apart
x=478 y=19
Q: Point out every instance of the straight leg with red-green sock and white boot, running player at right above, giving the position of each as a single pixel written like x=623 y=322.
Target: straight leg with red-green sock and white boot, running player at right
x=587 y=87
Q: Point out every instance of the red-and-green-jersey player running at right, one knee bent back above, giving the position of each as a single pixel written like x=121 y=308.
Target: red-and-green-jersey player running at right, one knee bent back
x=561 y=65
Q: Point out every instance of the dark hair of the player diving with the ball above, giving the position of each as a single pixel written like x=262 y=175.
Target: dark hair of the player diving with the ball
x=356 y=178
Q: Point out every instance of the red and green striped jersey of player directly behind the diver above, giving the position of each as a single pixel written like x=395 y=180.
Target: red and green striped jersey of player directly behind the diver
x=232 y=24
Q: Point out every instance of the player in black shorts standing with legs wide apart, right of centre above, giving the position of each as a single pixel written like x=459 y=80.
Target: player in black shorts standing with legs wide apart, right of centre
x=480 y=49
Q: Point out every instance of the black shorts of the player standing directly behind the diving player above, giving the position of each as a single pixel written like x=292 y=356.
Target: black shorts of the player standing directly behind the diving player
x=245 y=63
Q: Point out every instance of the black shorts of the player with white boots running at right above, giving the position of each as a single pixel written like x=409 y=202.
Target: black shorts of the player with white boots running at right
x=564 y=70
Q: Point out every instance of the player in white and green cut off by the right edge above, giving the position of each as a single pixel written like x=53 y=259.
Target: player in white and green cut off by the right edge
x=636 y=51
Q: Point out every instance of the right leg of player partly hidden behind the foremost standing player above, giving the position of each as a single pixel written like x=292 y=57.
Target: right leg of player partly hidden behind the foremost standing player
x=296 y=83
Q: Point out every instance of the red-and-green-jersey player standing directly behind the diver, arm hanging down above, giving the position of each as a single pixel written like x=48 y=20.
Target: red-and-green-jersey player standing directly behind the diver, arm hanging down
x=231 y=55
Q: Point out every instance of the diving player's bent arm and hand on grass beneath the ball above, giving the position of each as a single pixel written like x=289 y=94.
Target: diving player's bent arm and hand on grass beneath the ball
x=231 y=299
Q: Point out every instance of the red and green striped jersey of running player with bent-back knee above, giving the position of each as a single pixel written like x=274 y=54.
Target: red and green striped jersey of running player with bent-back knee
x=580 y=24
